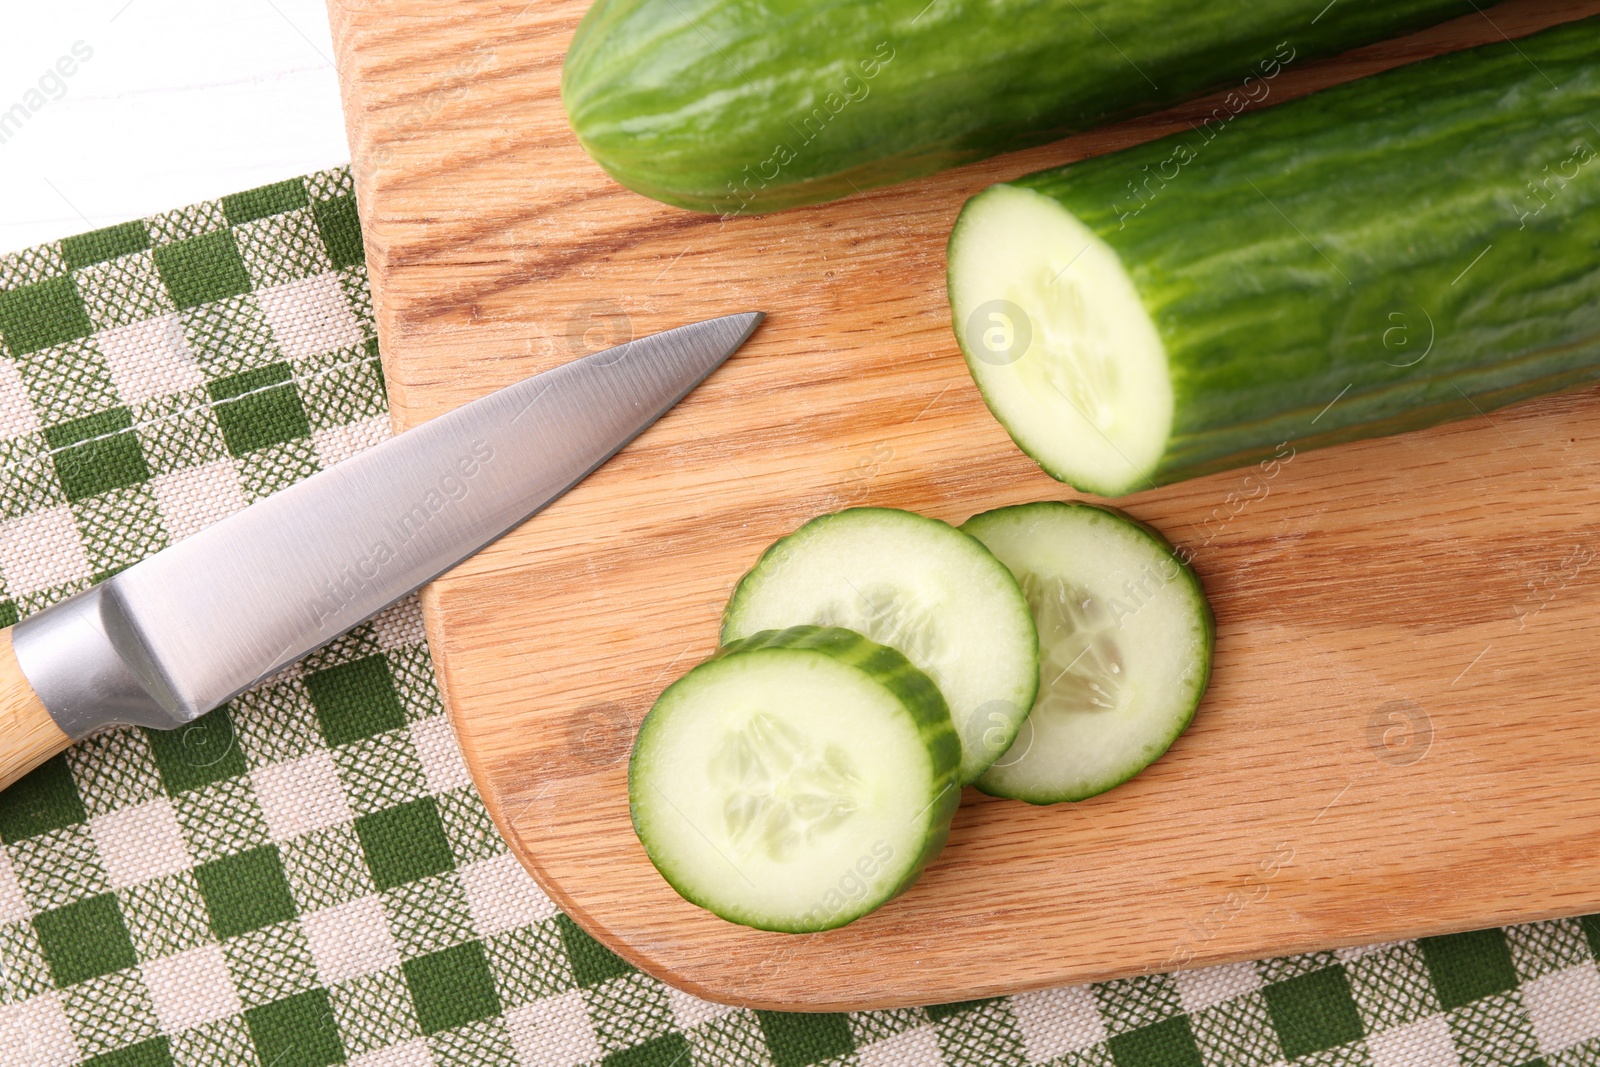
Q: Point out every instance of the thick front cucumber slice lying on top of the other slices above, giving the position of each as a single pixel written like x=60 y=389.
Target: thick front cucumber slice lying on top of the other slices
x=798 y=780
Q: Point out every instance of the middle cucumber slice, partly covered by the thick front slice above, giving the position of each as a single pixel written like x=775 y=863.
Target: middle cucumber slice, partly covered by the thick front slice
x=916 y=585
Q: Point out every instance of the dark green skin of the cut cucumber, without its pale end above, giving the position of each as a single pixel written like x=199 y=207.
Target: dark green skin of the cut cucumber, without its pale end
x=1401 y=180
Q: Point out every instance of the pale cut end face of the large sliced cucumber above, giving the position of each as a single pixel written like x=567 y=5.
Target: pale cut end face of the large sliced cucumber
x=1058 y=342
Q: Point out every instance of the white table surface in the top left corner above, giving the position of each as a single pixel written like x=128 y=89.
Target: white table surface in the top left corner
x=178 y=102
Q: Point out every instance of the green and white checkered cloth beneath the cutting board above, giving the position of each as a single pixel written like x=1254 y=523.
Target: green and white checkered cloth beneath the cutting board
x=308 y=877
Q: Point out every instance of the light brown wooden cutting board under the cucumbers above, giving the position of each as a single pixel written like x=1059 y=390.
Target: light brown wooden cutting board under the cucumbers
x=1401 y=732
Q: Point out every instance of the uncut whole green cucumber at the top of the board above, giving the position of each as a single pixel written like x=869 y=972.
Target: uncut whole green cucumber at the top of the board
x=690 y=102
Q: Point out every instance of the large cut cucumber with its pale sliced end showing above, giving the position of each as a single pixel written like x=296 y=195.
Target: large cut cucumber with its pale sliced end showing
x=1382 y=257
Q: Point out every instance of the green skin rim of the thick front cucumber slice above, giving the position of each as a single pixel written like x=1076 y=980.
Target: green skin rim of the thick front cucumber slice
x=890 y=669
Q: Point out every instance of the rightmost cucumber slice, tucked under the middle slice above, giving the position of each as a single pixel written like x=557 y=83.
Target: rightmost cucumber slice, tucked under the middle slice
x=1126 y=639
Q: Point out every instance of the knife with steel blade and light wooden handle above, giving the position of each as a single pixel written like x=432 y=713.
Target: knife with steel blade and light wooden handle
x=199 y=623
